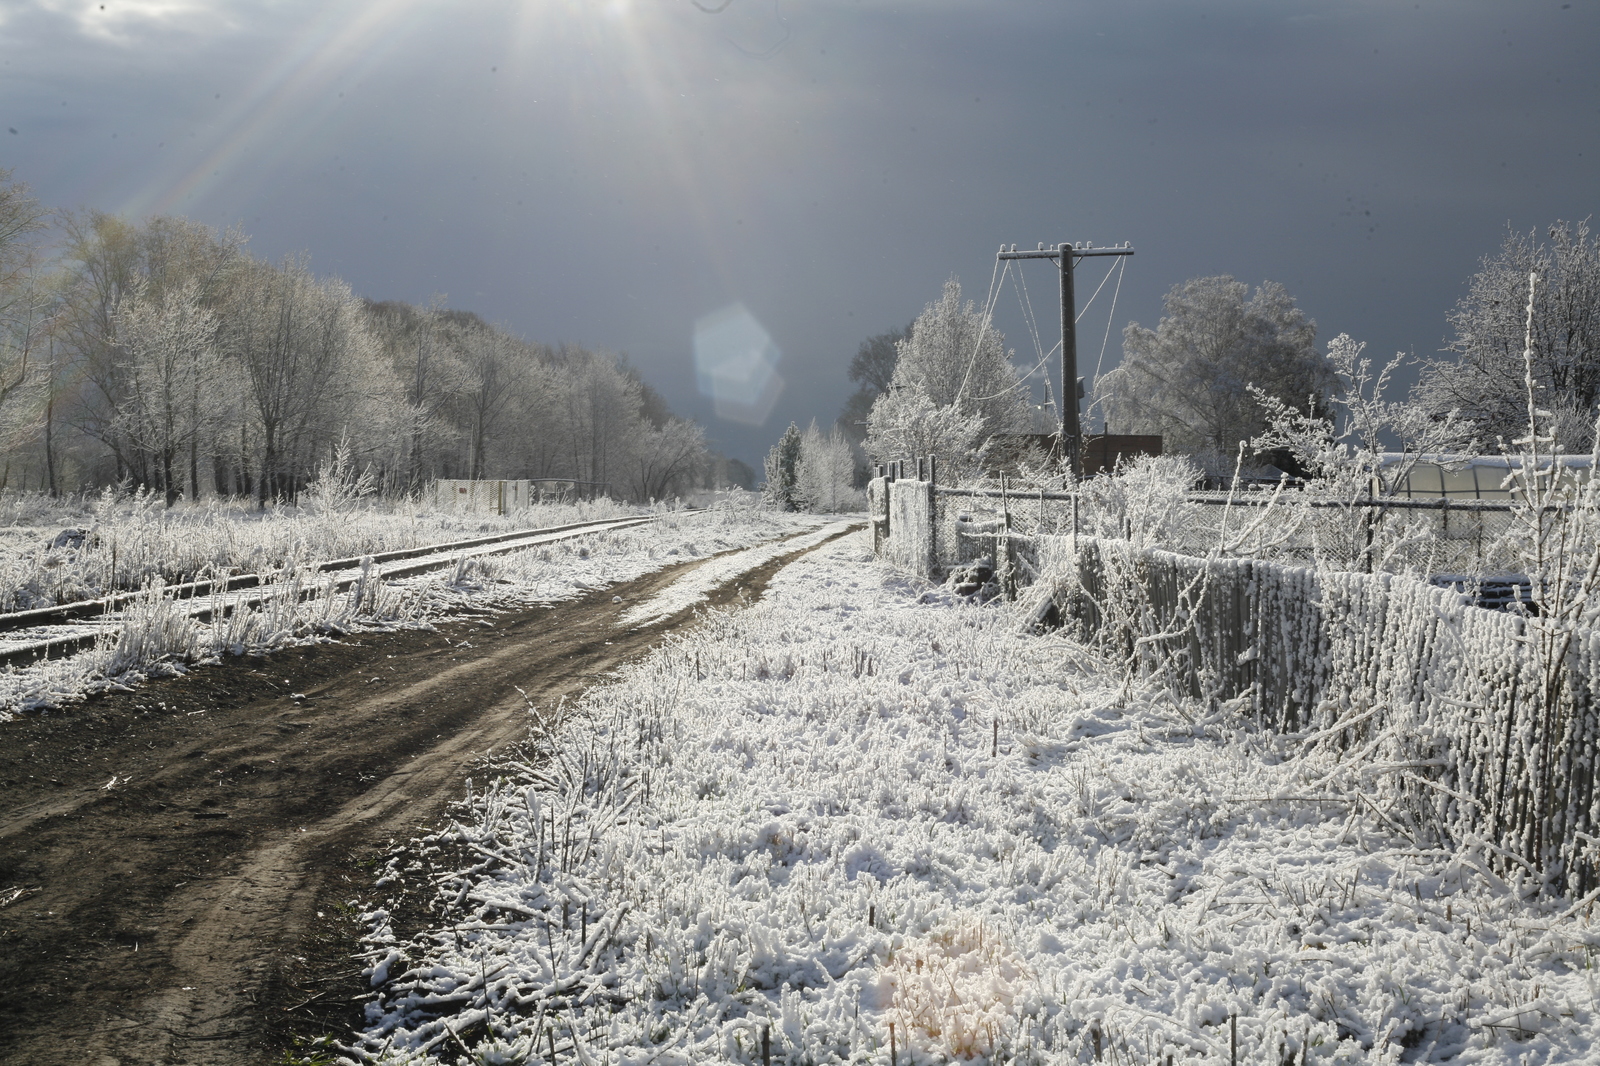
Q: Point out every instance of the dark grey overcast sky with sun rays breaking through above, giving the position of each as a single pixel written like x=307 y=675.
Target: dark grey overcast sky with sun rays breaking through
x=607 y=172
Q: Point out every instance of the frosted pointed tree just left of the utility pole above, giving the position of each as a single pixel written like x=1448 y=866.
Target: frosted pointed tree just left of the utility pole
x=954 y=388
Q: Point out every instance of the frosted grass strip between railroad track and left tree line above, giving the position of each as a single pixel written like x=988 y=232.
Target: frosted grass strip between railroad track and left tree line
x=132 y=539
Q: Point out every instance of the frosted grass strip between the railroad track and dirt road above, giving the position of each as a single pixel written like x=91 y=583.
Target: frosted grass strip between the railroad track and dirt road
x=158 y=638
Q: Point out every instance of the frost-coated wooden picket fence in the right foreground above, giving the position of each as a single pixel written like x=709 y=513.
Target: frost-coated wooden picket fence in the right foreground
x=1436 y=702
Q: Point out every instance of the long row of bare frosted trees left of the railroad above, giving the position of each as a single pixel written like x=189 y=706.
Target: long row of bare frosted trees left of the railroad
x=162 y=355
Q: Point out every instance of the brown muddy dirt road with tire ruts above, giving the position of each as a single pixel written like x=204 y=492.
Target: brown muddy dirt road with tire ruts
x=186 y=854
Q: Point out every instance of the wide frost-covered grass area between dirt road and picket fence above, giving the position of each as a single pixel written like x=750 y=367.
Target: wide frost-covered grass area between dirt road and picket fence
x=854 y=808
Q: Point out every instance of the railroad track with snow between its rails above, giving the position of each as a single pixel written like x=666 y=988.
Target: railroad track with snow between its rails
x=90 y=620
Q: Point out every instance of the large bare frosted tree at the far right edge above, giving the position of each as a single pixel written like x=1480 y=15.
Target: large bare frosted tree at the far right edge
x=1482 y=377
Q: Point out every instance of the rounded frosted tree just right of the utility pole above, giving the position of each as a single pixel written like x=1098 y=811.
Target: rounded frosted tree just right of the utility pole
x=1190 y=380
